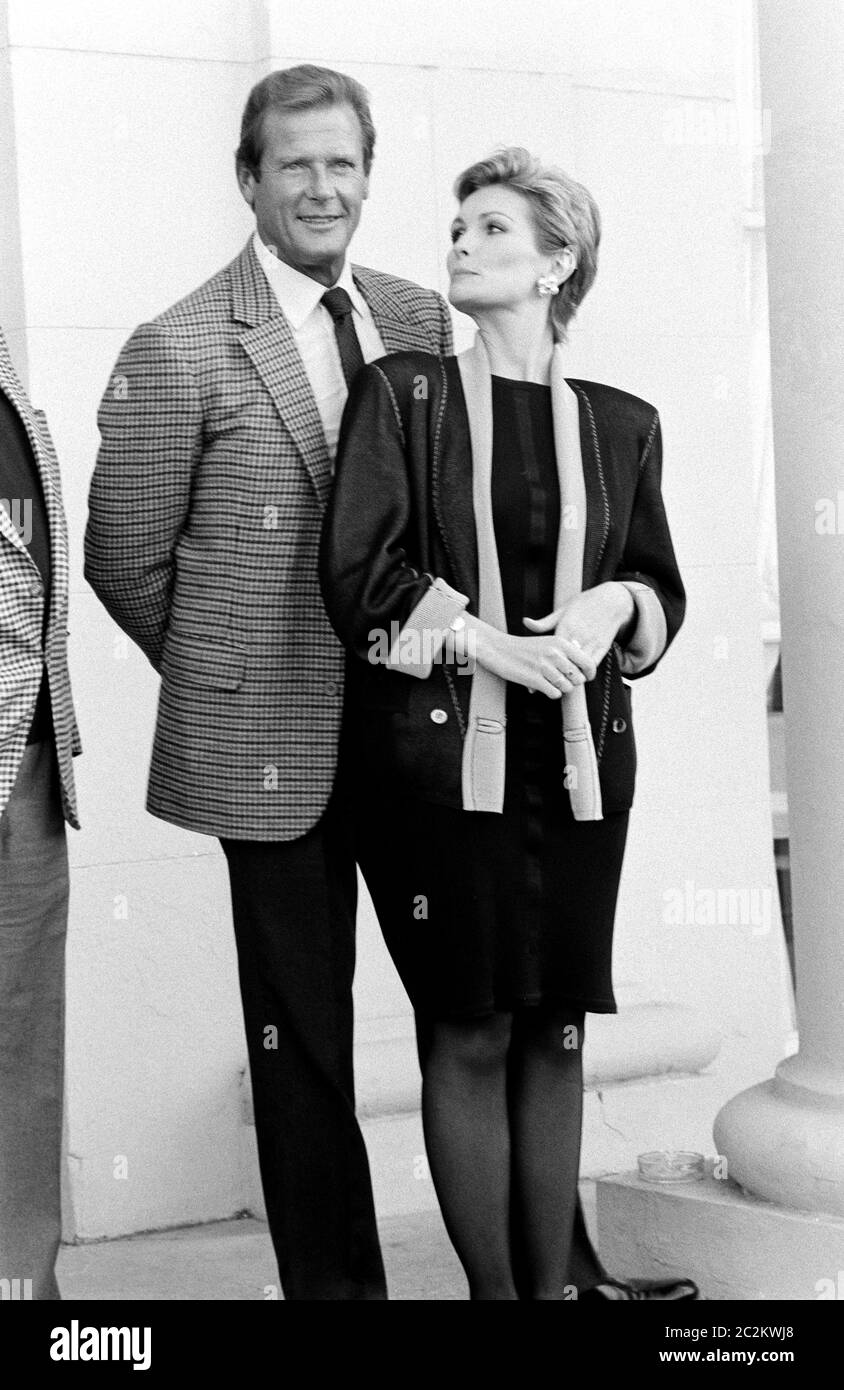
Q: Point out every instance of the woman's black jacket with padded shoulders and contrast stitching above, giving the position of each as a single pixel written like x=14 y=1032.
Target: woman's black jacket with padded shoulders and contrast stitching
x=401 y=515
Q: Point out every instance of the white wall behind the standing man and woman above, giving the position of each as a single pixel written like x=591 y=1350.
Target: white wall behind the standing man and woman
x=126 y=119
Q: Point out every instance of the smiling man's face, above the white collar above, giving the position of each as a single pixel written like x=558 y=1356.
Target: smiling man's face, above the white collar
x=312 y=186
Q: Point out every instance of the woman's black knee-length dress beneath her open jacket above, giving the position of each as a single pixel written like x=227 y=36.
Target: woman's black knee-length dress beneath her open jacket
x=487 y=913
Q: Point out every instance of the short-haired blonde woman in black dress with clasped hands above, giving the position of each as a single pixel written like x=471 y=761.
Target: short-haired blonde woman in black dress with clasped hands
x=498 y=562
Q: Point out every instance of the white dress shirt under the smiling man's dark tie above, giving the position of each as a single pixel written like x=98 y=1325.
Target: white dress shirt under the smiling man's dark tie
x=314 y=333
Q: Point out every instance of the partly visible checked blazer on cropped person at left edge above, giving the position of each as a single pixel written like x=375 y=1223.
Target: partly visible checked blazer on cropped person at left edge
x=22 y=616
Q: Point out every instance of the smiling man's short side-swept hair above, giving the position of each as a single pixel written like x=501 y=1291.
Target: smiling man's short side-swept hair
x=301 y=90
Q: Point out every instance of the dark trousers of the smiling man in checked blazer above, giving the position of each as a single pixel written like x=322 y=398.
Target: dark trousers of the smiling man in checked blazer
x=294 y=911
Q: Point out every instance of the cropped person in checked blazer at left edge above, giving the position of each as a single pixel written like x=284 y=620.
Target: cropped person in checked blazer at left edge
x=38 y=743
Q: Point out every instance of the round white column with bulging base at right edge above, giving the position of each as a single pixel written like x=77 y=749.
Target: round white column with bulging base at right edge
x=785 y=1139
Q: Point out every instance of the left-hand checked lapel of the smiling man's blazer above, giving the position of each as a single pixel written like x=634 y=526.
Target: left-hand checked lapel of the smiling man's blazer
x=269 y=341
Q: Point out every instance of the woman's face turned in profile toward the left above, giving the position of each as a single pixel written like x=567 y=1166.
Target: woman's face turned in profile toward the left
x=494 y=262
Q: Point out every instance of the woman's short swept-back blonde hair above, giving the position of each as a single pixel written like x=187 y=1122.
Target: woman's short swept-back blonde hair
x=565 y=215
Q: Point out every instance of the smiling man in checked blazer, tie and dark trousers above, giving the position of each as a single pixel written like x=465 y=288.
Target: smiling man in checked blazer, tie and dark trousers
x=219 y=430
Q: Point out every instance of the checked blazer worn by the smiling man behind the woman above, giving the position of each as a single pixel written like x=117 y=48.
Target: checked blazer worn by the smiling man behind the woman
x=204 y=537
